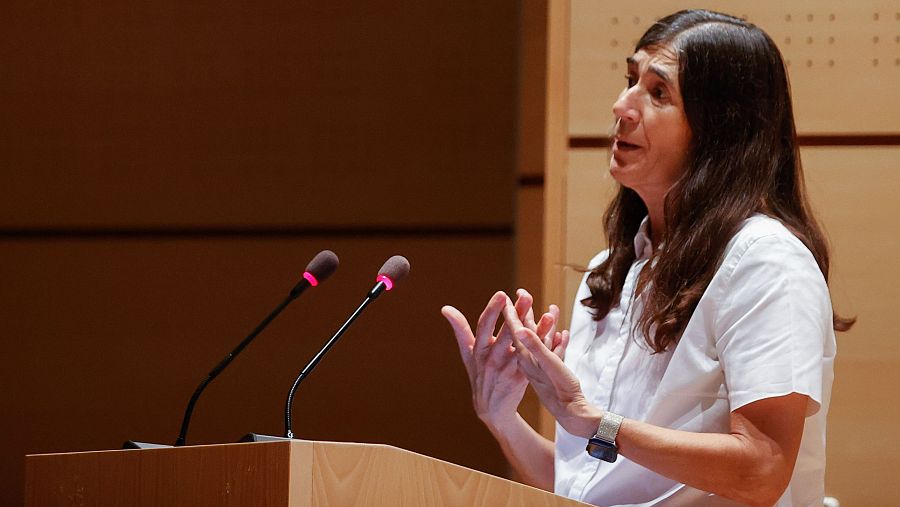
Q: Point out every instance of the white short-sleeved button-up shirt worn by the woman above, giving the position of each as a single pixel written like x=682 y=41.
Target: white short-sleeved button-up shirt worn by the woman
x=762 y=329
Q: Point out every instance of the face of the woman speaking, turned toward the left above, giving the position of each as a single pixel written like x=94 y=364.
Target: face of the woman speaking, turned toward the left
x=652 y=137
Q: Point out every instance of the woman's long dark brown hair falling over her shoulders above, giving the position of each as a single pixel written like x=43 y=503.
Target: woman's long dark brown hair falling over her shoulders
x=744 y=159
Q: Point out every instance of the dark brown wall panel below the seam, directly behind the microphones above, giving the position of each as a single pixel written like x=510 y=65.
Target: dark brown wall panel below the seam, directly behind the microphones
x=106 y=341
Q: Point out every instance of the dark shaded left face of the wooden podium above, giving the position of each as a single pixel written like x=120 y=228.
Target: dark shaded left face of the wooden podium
x=232 y=474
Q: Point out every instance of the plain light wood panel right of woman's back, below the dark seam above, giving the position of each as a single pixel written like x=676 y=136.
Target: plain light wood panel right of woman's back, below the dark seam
x=854 y=193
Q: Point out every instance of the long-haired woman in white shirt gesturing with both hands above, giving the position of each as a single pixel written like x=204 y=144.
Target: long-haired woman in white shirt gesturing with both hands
x=702 y=342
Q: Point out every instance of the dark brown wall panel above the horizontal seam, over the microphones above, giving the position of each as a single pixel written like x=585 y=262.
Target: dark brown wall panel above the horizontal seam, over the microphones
x=204 y=114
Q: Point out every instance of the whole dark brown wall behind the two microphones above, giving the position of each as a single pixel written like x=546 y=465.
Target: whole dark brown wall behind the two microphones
x=169 y=168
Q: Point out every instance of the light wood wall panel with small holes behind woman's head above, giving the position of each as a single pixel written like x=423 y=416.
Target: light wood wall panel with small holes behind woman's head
x=854 y=47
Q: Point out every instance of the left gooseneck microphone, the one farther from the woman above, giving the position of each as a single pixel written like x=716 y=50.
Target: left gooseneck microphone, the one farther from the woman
x=317 y=271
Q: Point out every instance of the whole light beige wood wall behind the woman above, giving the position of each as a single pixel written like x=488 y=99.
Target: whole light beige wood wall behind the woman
x=844 y=66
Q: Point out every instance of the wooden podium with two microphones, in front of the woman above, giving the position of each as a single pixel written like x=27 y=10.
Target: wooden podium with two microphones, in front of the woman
x=286 y=473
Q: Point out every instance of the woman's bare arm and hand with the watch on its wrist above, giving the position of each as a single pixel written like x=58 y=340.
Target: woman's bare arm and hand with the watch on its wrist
x=752 y=464
